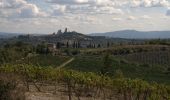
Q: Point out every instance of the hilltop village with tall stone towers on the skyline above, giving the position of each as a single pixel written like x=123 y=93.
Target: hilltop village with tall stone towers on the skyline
x=68 y=39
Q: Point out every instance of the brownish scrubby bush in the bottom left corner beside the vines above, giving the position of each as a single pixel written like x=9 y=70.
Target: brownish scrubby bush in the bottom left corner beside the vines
x=9 y=89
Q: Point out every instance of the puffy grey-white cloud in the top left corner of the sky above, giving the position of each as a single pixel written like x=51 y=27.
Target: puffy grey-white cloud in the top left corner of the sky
x=19 y=8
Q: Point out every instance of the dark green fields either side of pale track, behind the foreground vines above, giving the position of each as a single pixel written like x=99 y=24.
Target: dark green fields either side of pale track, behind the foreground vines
x=150 y=63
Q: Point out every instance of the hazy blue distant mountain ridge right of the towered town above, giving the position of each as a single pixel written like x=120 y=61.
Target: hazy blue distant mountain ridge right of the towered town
x=133 y=34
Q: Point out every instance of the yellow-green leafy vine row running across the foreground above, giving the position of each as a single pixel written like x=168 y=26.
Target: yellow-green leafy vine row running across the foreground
x=87 y=84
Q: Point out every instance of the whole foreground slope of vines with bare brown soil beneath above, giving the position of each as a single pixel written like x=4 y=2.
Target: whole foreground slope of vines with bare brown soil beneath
x=75 y=85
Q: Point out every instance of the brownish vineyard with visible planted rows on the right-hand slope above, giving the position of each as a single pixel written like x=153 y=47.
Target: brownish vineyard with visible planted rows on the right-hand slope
x=155 y=57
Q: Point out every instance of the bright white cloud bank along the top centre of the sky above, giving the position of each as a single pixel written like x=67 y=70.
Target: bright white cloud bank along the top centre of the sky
x=86 y=6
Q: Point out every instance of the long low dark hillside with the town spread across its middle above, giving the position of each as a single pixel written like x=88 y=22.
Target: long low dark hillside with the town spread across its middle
x=71 y=38
